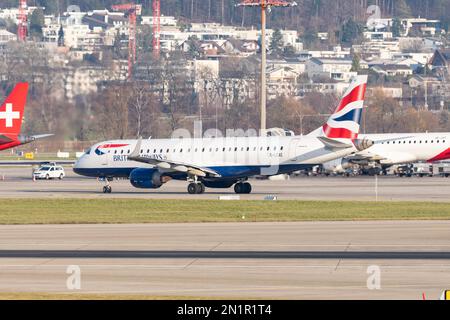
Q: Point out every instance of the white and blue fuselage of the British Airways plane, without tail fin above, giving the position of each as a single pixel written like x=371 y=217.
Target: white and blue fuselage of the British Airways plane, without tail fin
x=229 y=157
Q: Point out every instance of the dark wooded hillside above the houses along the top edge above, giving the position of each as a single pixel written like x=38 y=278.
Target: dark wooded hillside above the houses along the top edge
x=313 y=15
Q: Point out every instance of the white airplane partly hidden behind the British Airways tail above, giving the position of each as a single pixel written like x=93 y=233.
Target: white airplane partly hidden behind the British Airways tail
x=391 y=149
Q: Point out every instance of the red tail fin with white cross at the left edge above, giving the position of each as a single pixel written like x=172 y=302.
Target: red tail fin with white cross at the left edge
x=12 y=109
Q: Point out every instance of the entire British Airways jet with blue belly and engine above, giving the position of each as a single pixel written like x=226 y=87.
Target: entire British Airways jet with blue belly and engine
x=224 y=162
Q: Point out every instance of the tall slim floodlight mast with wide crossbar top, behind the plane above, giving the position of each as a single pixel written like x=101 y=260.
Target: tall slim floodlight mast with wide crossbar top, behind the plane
x=265 y=6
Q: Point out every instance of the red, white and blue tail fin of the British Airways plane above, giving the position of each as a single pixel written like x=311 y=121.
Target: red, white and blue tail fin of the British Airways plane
x=345 y=122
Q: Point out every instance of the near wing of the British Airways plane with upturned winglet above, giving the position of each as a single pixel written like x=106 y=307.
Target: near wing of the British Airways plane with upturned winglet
x=171 y=165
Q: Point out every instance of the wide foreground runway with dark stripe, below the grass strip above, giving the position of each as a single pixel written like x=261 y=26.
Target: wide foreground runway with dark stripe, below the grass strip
x=307 y=260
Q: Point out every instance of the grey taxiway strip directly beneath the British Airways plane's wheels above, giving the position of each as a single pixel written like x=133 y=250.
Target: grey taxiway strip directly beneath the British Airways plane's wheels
x=17 y=183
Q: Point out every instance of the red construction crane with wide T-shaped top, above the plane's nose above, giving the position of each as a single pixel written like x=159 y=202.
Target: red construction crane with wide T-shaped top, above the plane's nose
x=131 y=10
